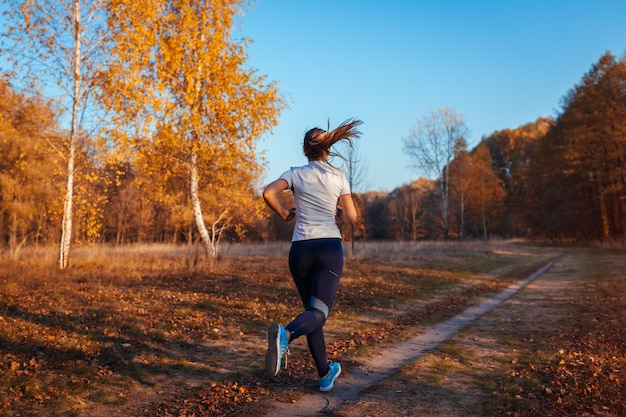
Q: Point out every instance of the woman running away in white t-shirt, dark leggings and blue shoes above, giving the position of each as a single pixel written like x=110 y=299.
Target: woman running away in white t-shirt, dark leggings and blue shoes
x=321 y=193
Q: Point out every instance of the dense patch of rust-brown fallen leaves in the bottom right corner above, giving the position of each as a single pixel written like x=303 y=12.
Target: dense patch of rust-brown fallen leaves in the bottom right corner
x=584 y=373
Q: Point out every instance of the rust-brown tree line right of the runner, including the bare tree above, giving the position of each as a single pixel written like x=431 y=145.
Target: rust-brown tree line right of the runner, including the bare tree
x=562 y=178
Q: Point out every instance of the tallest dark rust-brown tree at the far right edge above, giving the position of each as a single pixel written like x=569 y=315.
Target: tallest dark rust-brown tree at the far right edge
x=594 y=125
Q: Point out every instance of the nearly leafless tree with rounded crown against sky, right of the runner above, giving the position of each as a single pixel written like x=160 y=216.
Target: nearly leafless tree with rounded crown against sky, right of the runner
x=430 y=149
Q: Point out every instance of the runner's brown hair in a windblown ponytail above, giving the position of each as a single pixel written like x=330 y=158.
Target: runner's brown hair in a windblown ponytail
x=317 y=142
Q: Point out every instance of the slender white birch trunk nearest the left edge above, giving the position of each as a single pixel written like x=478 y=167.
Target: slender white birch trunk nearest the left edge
x=66 y=232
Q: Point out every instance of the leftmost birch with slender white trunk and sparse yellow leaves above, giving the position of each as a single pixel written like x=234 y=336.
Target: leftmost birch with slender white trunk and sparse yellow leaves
x=60 y=46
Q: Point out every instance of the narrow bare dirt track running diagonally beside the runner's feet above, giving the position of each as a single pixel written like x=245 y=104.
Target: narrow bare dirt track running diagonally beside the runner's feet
x=374 y=369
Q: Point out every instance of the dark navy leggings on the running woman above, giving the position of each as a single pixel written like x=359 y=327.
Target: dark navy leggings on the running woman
x=316 y=266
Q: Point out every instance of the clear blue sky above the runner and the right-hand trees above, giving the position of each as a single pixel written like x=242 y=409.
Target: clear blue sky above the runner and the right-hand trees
x=500 y=63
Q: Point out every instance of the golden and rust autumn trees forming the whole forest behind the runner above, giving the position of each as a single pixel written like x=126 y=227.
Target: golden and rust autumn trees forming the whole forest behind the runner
x=152 y=139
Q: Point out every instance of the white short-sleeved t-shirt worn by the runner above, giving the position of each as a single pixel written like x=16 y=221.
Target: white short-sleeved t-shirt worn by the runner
x=316 y=187
